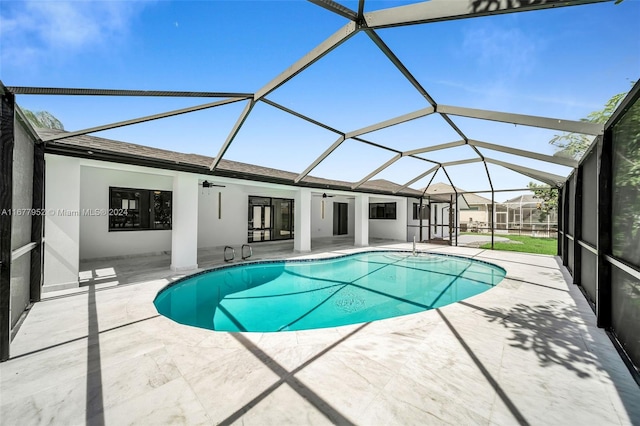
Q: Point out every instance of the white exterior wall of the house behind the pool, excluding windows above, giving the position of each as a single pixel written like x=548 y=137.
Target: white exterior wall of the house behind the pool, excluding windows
x=82 y=185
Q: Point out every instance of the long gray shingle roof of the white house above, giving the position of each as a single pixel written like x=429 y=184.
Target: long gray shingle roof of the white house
x=92 y=145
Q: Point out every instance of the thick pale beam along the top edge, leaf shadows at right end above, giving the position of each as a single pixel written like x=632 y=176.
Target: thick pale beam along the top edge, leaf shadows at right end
x=445 y=10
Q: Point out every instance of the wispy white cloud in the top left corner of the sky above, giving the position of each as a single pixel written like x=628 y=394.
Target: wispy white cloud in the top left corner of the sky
x=33 y=30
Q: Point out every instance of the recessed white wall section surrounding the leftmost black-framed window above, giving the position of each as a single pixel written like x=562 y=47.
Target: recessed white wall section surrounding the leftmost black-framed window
x=95 y=239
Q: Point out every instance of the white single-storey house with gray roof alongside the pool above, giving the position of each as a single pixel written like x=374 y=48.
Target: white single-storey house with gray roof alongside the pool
x=111 y=199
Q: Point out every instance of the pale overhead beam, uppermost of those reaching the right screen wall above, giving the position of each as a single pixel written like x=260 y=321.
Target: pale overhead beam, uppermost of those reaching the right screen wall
x=583 y=127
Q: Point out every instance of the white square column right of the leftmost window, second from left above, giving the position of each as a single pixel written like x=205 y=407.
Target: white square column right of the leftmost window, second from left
x=184 y=233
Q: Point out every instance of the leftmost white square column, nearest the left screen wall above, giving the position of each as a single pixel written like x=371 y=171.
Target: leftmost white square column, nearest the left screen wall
x=62 y=223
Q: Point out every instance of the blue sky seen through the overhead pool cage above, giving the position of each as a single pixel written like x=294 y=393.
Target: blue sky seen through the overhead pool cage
x=560 y=63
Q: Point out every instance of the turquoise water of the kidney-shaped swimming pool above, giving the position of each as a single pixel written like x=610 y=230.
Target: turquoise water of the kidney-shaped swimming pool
x=301 y=295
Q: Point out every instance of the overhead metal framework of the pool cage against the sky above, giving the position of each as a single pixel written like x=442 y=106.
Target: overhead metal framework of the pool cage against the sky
x=415 y=14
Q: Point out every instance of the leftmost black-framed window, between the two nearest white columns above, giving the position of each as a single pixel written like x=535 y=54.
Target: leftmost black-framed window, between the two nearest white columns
x=139 y=209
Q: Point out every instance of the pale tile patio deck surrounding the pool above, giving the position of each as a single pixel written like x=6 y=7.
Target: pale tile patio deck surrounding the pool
x=524 y=352
